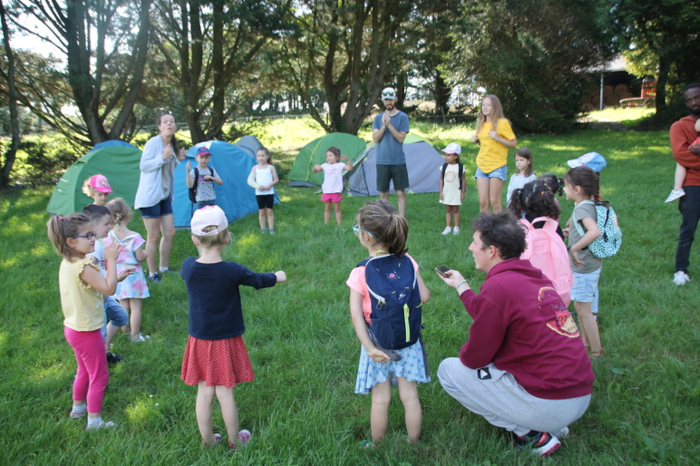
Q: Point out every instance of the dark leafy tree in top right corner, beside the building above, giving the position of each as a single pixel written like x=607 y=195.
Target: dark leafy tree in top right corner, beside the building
x=661 y=39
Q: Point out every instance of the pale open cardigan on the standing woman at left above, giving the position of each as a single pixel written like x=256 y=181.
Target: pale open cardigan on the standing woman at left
x=150 y=190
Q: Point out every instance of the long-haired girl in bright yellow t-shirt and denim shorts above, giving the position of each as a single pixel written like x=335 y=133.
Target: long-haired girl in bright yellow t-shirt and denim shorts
x=495 y=136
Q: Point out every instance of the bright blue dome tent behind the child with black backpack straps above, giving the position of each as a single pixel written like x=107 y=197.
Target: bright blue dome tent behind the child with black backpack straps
x=235 y=197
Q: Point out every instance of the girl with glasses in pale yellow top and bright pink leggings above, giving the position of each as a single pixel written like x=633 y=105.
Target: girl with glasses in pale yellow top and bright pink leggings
x=82 y=300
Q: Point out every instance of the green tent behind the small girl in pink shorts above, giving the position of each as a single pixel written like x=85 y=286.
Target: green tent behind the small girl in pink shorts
x=314 y=153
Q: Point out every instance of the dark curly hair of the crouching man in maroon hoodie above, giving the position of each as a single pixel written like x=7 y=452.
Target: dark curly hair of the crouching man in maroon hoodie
x=501 y=230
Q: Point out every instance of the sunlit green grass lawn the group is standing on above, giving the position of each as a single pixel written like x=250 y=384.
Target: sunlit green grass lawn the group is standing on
x=301 y=408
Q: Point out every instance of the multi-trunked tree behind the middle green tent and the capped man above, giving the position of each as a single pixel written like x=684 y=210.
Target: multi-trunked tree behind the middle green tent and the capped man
x=348 y=47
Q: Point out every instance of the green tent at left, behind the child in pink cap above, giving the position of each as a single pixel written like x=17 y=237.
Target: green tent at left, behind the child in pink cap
x=119 y=163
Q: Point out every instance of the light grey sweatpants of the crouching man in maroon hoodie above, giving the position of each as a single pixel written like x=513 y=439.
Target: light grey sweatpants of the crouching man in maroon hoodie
x=504 y=403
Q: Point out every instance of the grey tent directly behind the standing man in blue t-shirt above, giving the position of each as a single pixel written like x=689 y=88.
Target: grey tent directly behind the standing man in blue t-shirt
x=422 y=160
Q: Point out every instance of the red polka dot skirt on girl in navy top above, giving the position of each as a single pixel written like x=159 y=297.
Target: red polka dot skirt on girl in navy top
x=217 y=362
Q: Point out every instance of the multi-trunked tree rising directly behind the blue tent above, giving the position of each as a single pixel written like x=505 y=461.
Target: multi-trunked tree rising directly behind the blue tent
x=211 y=47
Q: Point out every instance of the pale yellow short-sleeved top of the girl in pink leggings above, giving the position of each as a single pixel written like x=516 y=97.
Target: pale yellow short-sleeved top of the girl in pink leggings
x=83 y=306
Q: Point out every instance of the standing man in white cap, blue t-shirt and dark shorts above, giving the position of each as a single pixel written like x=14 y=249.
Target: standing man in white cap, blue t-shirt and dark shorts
x=388 y=132
